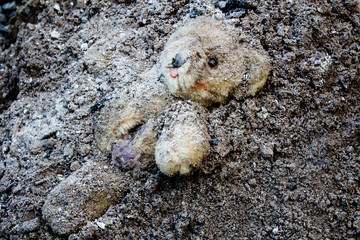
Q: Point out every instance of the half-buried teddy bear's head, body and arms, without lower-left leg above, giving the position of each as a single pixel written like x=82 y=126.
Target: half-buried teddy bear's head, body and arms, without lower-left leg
x=203 y=63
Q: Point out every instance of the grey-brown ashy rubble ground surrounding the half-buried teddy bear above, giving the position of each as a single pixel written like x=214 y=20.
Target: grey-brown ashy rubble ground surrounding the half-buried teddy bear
x=284 y=164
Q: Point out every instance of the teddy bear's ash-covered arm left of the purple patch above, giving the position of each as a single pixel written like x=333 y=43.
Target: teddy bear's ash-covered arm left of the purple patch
x=144 y=100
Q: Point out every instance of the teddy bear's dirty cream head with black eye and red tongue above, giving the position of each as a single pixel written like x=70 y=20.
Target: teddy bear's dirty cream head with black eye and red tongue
x=239 y=71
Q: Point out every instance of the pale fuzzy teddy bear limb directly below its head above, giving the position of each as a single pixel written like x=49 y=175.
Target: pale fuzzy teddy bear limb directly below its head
x=184 y=139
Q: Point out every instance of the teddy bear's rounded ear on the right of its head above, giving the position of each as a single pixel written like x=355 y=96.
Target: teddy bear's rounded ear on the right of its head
x=259 y=70
